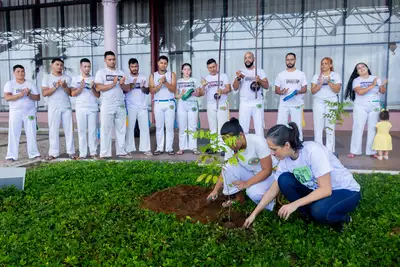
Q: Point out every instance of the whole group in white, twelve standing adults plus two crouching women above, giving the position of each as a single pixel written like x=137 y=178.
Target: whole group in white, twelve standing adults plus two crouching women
x=308 y=173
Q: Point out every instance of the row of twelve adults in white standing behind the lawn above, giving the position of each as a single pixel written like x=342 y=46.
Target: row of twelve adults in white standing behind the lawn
x=125 y=96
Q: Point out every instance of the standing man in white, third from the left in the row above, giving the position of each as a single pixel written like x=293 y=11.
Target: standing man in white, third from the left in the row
x=86 y=109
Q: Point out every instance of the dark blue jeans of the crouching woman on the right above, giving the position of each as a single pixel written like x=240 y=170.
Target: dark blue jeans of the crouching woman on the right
x=330 y=210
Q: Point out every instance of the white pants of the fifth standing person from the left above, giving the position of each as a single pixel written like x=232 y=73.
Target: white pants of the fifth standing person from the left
x=142 y=116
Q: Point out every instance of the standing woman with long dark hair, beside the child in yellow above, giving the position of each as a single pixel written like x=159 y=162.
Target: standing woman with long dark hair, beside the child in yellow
x=364 y=90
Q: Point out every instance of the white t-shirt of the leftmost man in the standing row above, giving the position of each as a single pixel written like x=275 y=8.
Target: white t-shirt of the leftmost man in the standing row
x=24 y=104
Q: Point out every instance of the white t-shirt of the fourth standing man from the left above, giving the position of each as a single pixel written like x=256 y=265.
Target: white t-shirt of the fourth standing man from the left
x=106 y=76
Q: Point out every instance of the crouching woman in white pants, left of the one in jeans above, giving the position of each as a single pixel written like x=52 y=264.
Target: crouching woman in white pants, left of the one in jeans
x=253 y=173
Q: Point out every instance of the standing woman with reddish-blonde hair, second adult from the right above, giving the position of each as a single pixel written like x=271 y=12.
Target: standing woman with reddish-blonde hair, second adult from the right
x=325 y=86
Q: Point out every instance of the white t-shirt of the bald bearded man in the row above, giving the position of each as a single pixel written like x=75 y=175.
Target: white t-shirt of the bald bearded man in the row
x=244 y=88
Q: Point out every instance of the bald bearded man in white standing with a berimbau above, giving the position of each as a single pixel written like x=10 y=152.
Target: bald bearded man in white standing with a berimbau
x=251 y=103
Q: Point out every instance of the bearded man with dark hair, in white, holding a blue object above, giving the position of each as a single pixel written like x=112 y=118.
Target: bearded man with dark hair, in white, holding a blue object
x=291 y=85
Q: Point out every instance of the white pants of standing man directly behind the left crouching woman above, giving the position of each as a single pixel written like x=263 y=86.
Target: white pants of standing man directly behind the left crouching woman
x=217 y=118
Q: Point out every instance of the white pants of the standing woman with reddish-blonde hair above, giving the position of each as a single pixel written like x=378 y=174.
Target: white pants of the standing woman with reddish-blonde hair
x=320 y=108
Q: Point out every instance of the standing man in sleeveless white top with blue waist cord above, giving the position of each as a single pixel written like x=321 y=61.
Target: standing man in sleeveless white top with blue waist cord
x=163 y=86
